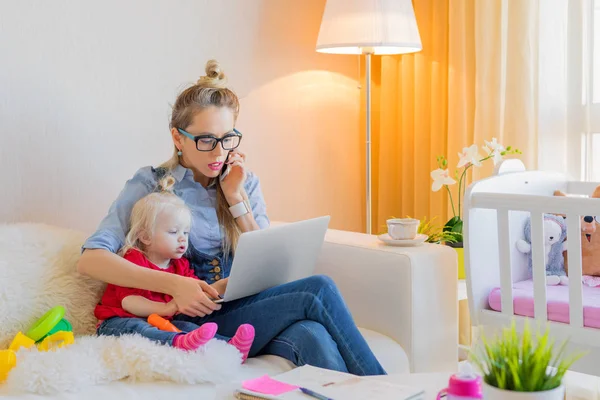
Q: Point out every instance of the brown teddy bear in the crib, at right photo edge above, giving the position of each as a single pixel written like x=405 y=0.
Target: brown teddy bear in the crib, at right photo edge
x=590 y=244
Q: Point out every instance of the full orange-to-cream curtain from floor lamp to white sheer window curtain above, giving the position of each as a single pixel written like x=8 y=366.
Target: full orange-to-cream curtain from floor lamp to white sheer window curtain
x=475 y=79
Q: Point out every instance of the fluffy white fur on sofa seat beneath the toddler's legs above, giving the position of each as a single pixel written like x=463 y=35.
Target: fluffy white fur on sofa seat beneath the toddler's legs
x=98 y=360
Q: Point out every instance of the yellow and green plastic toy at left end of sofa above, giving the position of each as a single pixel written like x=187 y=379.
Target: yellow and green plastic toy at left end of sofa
x=48 y=333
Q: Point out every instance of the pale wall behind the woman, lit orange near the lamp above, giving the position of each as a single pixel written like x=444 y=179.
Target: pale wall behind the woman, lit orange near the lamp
x=85 y=89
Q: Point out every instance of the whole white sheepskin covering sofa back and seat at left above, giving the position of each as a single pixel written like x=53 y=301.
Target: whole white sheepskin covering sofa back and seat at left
x=37 y=272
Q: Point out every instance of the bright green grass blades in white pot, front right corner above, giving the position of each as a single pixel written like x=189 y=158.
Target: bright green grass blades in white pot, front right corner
x=519 y=363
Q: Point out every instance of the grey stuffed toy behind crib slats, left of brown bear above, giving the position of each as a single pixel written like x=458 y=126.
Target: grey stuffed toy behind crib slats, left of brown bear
x=555 y=233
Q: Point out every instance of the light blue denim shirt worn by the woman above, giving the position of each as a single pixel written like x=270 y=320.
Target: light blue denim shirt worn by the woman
x=205 y=253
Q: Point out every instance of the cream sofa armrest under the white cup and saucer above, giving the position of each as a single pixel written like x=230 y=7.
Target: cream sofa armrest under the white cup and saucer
x=406 y=293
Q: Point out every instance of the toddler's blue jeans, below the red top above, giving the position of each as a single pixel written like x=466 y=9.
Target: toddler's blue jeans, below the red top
x=125 y=326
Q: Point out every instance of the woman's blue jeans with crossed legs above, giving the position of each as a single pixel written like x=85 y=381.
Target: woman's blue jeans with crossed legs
x=305 y=321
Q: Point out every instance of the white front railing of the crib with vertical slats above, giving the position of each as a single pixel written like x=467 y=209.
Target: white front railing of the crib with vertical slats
x=573 y=208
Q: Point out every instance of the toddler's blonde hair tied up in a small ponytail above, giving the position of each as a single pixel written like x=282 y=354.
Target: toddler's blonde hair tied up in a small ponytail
x=146 y=210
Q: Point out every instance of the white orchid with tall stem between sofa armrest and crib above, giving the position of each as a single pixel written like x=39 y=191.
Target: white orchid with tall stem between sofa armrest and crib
x=442 y=178
